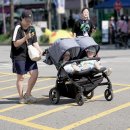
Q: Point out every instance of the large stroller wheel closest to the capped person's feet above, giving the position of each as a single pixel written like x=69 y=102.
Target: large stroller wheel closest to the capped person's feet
x=54 y=96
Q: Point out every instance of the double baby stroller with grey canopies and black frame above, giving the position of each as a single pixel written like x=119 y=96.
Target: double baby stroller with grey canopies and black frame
x=78 y=84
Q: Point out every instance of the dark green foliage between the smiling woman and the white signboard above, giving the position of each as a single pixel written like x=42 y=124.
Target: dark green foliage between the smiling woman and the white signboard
x=97 y=36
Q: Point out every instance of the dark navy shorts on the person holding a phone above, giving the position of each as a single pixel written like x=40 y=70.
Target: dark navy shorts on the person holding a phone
x=22 y=67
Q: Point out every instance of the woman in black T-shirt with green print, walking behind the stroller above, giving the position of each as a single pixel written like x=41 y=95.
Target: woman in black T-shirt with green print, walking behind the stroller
x=83 y=26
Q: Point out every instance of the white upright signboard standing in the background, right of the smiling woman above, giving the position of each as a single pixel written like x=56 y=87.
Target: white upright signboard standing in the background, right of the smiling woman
x=105 y=31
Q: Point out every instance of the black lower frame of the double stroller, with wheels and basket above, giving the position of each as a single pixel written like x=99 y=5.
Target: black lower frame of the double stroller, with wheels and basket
x=71 y=88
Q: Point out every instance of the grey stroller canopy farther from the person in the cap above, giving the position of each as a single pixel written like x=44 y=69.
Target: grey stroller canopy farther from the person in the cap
x=86 y=42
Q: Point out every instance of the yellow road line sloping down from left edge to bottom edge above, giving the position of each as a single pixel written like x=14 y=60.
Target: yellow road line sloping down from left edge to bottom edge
x=29 y=124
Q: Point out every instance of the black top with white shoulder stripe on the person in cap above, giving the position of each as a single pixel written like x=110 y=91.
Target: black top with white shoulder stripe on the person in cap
x=21 y=52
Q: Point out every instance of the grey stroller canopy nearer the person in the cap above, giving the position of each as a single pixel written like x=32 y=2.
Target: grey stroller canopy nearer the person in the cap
x=57 y=50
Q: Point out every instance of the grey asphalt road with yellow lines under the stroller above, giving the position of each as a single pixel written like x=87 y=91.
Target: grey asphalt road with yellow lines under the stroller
x=96 y=113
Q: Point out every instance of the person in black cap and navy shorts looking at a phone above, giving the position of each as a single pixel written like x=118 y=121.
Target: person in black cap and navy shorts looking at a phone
x=24 y=34
